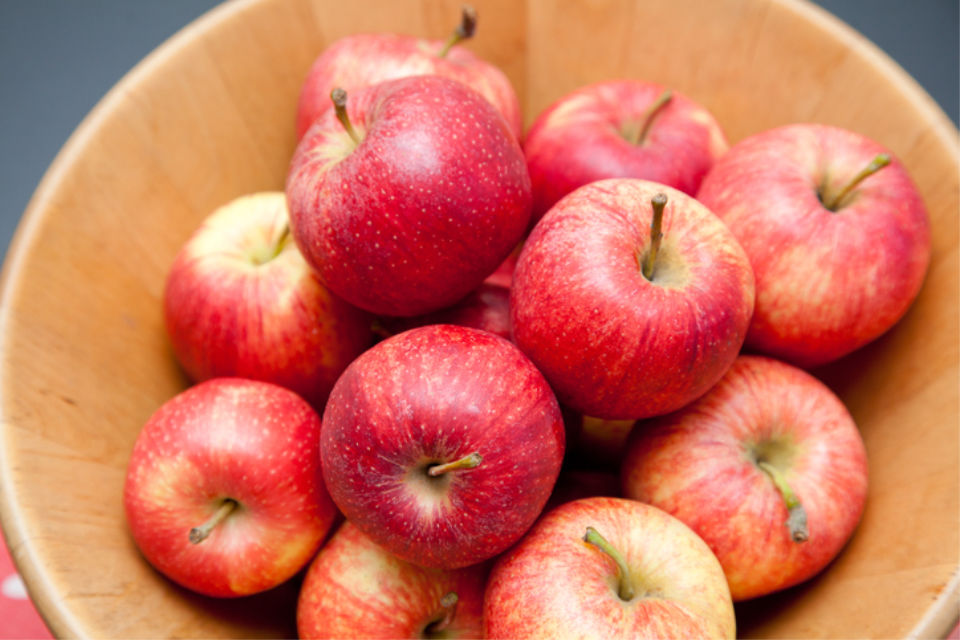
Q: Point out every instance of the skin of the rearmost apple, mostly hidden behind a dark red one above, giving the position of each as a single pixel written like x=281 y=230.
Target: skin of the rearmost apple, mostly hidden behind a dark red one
x=362 y=60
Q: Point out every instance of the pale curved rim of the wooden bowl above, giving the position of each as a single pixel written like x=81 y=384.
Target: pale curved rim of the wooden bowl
x=937 y=620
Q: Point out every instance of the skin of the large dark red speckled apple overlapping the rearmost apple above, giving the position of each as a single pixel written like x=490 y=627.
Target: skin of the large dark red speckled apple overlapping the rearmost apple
x=413 y=218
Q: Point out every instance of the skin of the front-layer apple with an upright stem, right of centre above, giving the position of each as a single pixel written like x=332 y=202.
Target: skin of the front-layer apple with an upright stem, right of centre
x=613 y=344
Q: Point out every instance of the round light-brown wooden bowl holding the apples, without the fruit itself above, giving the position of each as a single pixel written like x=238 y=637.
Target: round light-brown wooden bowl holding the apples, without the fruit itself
x=209 y=116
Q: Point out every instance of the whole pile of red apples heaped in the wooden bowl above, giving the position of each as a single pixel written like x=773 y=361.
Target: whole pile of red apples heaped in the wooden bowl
x=559 y=374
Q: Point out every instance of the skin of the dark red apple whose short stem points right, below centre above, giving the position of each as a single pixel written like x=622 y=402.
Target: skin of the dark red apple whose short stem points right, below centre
x=435 y=395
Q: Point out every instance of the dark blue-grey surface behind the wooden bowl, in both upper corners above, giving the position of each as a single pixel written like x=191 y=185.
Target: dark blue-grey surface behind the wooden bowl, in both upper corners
x=59 y=57
